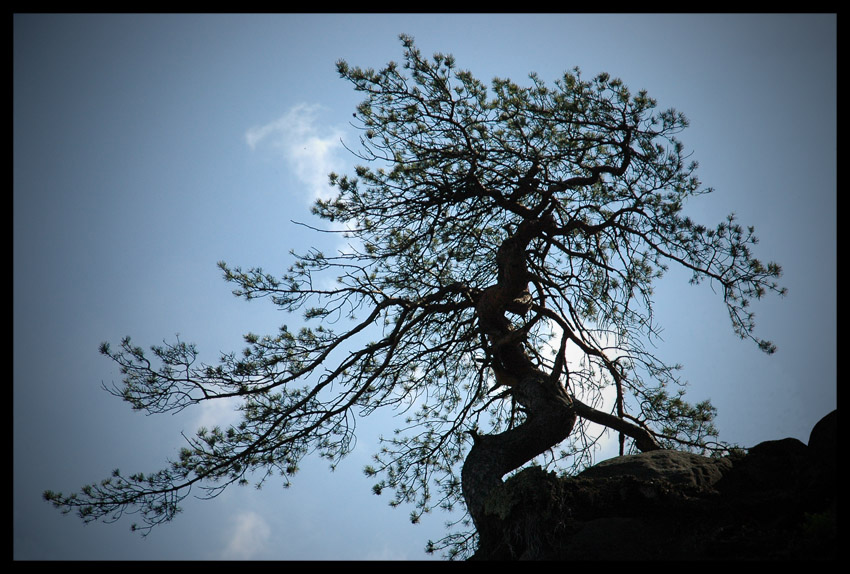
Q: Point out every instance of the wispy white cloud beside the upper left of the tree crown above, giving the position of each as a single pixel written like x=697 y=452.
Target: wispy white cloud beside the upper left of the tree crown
x=310 y=149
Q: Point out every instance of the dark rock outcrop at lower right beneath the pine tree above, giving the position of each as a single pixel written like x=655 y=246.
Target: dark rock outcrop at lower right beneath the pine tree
x=777 y=501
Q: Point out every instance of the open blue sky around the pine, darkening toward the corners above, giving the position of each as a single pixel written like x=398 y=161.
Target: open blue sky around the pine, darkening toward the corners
x=147 y=148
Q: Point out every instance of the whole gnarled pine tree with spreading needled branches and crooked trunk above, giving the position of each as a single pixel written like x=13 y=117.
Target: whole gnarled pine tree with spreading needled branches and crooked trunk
x=500 y=249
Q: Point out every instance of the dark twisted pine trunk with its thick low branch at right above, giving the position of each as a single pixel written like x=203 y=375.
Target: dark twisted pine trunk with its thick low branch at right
x=550 y=411
